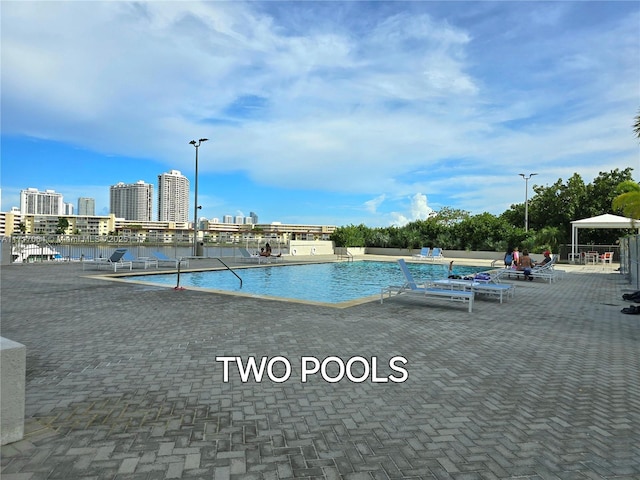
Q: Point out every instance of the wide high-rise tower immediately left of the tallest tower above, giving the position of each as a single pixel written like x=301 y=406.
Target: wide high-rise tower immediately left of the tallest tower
x=132 y=201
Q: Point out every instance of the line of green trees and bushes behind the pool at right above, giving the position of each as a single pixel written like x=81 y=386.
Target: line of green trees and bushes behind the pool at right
x=551 y=211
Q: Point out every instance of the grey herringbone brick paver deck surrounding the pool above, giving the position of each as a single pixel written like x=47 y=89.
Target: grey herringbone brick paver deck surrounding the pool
x=123 y=382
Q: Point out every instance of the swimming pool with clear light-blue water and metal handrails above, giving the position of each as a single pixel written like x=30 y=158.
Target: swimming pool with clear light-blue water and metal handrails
x=333 y=283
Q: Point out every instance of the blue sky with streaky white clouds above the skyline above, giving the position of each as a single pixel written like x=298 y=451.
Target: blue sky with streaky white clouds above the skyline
x=318 y=112
